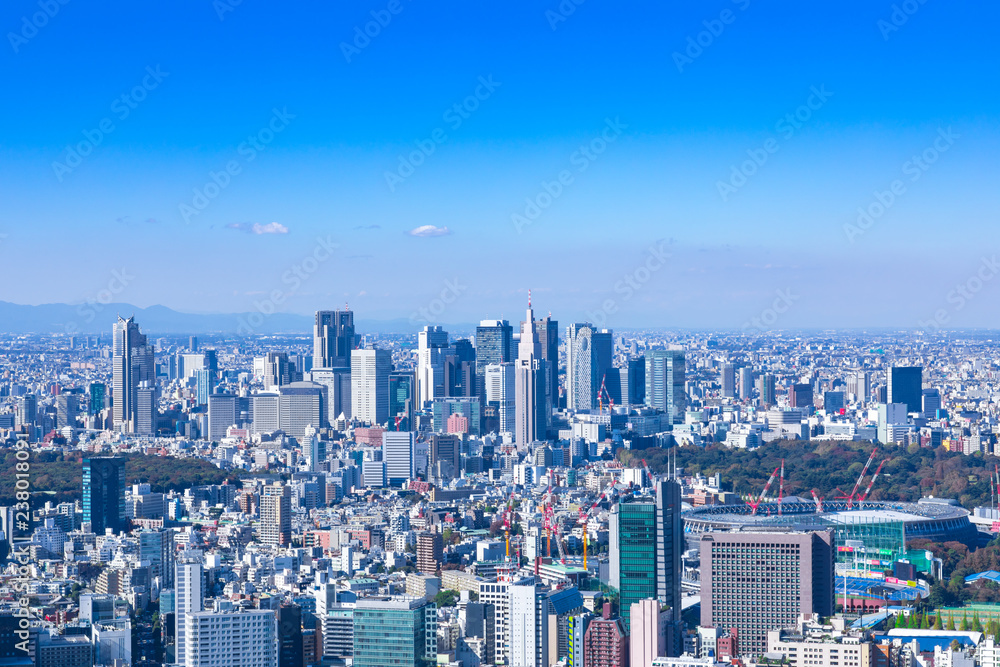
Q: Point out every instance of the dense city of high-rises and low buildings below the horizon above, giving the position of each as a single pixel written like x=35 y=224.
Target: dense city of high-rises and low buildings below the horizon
x=520 y=494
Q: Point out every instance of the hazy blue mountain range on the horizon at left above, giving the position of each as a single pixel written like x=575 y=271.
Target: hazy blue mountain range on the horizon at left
x=160 y=320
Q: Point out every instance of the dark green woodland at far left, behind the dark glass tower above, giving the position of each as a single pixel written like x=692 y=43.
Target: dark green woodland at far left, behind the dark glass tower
x=59 y=477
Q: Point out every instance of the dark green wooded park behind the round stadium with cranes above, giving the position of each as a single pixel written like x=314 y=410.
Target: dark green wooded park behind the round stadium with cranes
x=909 y=474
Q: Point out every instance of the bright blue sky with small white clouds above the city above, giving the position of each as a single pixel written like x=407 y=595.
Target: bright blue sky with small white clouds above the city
x=666 y=99
